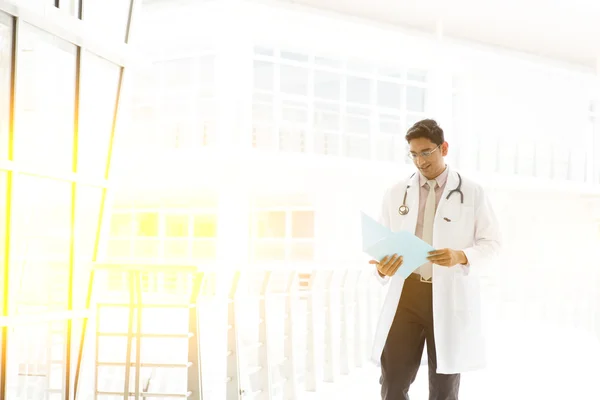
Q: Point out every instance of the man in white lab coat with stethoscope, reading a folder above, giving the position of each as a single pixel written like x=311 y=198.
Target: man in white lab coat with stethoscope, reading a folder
x=439 y=304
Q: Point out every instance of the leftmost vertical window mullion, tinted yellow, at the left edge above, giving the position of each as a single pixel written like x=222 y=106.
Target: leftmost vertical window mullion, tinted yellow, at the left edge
x=8 y=207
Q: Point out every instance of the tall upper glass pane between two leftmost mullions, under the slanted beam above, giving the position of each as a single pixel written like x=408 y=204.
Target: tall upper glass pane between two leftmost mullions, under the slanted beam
x=46 y=102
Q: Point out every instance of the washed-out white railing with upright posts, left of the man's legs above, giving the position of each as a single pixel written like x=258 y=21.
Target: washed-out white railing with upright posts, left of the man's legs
x=258 y=334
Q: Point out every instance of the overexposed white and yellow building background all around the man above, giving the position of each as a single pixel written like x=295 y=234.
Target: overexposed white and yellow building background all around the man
x=182 y=181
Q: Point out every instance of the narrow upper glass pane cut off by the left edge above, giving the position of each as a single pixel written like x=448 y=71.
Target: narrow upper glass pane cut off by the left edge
x=5 y=76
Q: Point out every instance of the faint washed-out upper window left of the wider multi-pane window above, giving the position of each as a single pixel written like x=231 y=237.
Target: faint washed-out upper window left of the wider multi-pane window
x=174 y=104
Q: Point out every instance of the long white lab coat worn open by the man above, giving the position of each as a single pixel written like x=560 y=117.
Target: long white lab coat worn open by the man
x=472 y=228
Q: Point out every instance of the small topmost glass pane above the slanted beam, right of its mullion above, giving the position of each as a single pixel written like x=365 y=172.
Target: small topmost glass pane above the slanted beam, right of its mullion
x=108 y=17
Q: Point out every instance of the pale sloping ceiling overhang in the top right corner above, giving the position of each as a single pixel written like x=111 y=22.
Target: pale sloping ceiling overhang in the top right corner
x=564 y=30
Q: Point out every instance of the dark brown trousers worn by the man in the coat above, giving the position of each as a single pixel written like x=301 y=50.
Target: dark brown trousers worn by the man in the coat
x=401 y=356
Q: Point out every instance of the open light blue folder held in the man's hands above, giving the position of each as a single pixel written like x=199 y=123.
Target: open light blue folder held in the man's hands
x=379 y=241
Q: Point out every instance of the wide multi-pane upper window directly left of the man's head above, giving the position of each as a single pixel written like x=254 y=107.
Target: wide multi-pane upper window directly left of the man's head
x=352 y=107
